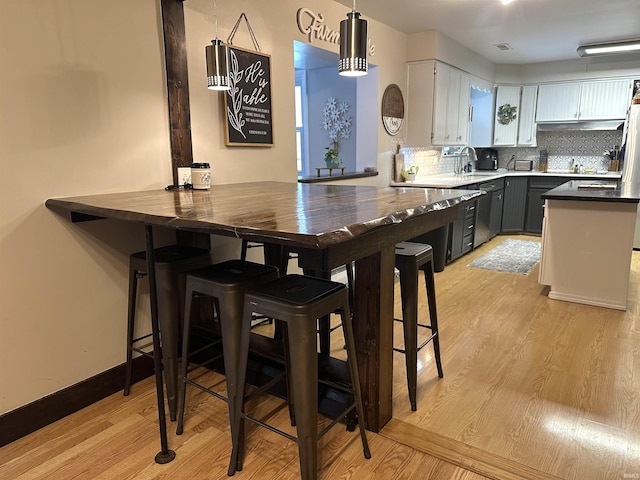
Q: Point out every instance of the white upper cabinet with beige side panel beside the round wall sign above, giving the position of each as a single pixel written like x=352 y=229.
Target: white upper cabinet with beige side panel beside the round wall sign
x=437 y=105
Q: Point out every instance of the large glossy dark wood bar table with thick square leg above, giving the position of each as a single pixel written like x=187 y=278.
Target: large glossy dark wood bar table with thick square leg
x=328 y=225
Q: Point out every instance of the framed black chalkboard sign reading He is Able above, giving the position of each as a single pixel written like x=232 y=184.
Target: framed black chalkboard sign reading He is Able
x=248 y=114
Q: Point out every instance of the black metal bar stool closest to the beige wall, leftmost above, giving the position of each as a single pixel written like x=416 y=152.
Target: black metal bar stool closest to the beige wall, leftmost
x=170 y=261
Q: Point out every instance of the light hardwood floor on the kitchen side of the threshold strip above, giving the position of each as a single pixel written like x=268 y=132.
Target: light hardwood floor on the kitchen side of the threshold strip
x=535 y=386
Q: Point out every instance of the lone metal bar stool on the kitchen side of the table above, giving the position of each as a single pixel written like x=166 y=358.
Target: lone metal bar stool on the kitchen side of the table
x=410 y=258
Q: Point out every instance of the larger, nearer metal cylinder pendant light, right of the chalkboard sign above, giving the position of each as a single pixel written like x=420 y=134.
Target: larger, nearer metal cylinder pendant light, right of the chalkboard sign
x=353 y=45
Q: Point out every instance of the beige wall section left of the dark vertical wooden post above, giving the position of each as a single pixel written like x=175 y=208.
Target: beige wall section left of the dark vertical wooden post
x=82 y=111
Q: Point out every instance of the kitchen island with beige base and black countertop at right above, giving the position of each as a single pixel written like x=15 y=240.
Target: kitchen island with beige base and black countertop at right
x=587 y=240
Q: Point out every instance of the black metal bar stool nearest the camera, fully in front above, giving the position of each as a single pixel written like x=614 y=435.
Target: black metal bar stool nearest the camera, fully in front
x=298 y=301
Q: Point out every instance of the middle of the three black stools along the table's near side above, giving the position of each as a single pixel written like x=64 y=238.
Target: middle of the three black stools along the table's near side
x=227 y=283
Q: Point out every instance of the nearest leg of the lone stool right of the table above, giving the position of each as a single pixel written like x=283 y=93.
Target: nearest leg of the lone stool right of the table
x=409 y=296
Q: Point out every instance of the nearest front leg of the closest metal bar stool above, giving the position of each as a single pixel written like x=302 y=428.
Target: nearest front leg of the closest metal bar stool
x=304 y=379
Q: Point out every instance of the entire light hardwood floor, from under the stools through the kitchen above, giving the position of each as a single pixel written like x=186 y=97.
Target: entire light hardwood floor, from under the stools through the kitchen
x=533 y=388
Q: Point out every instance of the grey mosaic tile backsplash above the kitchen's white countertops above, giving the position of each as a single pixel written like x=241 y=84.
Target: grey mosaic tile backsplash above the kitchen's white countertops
x=584 y=147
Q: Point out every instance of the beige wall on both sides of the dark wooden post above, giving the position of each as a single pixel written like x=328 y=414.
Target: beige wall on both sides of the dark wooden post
x=83 y=110
